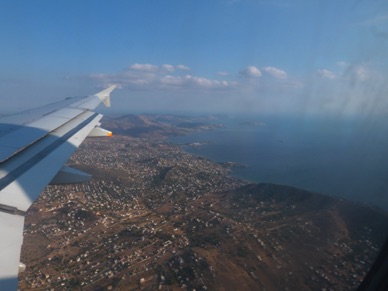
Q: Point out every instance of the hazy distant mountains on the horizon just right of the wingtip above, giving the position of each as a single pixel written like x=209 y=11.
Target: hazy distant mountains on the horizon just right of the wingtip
x=158 y=125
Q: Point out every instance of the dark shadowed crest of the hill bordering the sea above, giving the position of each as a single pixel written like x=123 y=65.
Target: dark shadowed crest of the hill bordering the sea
x=355 y=217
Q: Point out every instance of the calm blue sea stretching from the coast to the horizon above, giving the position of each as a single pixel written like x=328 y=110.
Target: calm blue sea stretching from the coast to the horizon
x=340 y=156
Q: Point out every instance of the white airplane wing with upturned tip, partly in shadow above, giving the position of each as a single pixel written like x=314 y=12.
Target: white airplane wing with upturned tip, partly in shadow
x=34 y=146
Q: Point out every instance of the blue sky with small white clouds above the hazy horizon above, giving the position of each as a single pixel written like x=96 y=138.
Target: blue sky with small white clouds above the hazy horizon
x=178 y=56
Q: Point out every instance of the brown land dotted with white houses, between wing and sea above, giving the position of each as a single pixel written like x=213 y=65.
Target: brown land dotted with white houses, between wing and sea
x=156 y=217
